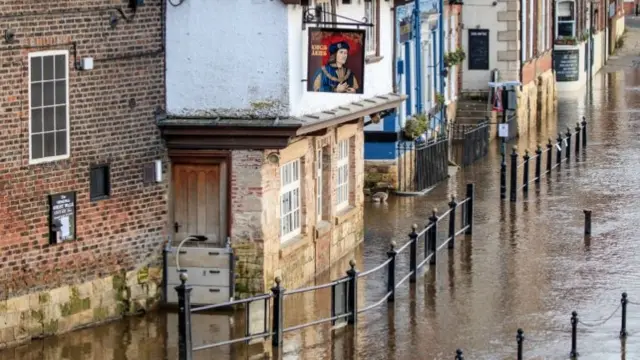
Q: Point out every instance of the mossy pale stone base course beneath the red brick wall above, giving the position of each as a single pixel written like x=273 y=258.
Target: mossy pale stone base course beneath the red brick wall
x=69 y=307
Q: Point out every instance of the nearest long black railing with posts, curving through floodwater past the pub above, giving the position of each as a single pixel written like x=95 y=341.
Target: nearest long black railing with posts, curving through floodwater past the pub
x=344 y=291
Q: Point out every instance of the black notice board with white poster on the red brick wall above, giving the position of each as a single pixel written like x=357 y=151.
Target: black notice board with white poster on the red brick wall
x=62 y=217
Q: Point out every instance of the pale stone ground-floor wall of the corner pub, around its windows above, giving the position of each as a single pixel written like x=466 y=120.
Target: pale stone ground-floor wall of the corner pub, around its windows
x=256 y=212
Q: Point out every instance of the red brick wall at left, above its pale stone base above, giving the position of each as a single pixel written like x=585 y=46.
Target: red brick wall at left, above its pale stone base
x=112 y=234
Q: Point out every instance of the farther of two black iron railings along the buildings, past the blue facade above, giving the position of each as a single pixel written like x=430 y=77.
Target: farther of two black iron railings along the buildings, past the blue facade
x=471 y=142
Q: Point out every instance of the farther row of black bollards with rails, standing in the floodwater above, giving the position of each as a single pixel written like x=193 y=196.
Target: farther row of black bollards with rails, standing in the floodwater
x=518 y=169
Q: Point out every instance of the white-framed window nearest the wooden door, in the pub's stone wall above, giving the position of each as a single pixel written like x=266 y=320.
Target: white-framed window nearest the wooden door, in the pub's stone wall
x=290 y=217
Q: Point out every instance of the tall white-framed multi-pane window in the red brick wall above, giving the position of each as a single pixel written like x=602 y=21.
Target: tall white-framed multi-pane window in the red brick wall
x=48 y=106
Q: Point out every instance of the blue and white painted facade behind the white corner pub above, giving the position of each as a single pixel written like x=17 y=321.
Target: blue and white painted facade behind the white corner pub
x=419 y=65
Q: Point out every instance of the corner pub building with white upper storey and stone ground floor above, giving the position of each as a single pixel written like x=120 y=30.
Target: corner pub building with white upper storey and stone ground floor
x=285 y=160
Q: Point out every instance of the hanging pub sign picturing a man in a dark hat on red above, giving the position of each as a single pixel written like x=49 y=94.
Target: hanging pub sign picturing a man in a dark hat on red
x=336 y=60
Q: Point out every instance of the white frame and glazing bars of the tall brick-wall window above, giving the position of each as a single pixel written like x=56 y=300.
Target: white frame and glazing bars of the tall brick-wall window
x=42 y=54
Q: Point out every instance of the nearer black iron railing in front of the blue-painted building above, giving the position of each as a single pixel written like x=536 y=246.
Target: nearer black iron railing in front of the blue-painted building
x=422 y=166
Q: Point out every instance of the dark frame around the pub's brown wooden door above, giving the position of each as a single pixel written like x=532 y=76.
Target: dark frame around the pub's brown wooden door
x=207 y=157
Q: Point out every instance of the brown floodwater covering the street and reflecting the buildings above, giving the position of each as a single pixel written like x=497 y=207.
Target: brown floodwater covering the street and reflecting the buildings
x=527 y=265
